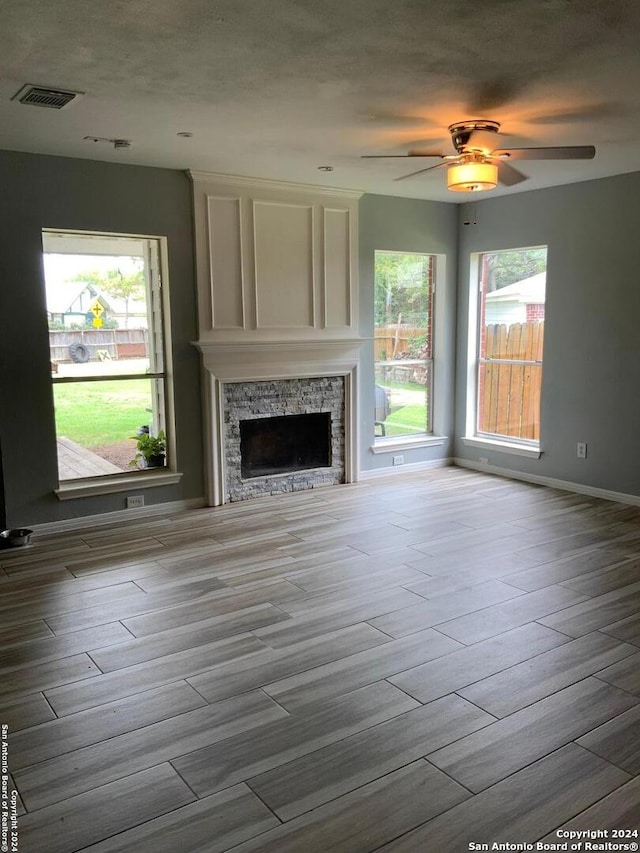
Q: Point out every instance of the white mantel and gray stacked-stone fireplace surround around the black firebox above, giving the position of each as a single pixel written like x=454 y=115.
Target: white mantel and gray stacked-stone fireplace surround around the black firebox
x=328 y=369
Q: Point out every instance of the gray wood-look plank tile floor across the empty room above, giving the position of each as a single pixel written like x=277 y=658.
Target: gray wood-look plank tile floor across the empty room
x=408 y=664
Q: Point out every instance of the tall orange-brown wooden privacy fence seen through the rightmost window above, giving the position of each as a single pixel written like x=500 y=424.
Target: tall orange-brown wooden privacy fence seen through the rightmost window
x=509 y=389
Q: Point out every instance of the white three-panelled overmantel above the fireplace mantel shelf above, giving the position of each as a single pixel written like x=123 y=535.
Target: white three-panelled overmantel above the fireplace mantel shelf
x=275 y=261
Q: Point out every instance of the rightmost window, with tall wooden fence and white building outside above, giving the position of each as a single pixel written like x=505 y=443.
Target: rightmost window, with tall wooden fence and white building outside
x=510 y=343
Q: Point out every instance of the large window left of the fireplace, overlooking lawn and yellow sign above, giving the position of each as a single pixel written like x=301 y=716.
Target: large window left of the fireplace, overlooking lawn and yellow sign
x=105 y=312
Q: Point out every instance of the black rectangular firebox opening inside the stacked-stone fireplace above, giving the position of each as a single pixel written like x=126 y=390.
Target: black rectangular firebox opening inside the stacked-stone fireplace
x=286 y=443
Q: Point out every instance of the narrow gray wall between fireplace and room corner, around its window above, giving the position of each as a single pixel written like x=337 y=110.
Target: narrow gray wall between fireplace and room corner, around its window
x=407 y=225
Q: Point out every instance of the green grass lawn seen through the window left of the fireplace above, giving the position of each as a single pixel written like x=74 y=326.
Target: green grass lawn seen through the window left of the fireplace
x=97 y=413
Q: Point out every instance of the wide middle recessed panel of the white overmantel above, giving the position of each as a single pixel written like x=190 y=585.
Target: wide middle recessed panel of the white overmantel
x=283 y=244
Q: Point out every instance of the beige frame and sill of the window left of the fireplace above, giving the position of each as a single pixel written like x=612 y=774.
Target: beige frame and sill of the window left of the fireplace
x=157 y=293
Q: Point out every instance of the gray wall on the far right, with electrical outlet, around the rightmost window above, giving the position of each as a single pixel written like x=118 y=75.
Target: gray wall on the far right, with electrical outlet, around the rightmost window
x=592 y=327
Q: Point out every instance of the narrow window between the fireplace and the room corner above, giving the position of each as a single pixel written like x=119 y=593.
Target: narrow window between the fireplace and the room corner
x=404 y=286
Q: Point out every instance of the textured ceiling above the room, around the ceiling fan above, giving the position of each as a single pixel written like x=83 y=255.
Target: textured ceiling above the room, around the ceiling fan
x=276 y=88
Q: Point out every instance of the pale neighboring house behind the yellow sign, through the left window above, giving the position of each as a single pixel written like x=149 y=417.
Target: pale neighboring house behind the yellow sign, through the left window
x=70 y=303
